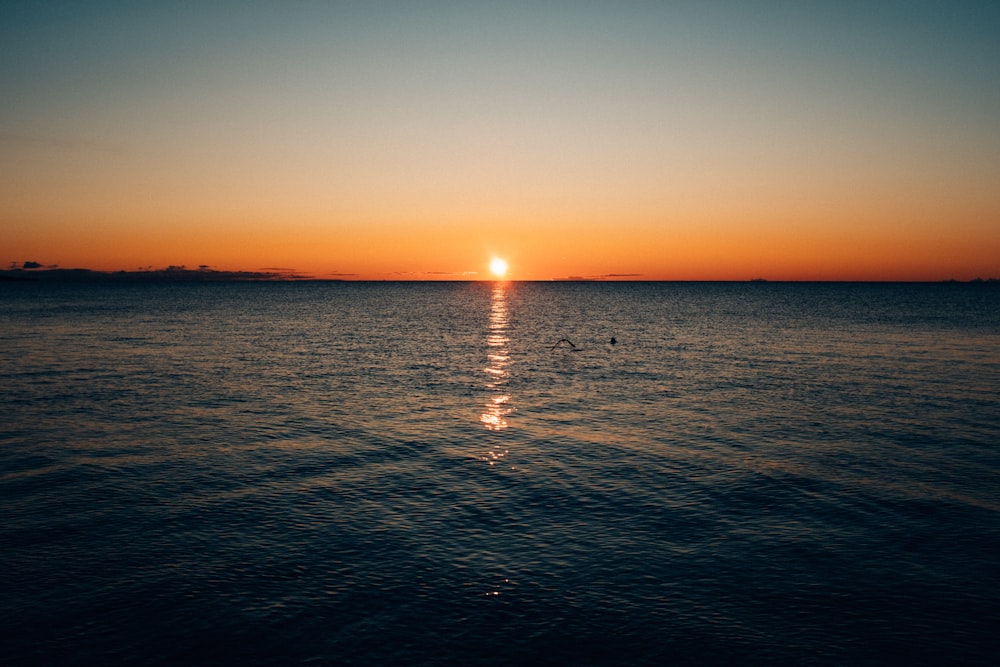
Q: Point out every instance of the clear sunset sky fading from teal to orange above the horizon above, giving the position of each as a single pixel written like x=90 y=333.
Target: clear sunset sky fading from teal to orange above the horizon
x=785 y=140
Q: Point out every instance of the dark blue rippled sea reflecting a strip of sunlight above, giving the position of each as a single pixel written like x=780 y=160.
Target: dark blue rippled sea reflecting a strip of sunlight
x=426 y=473
